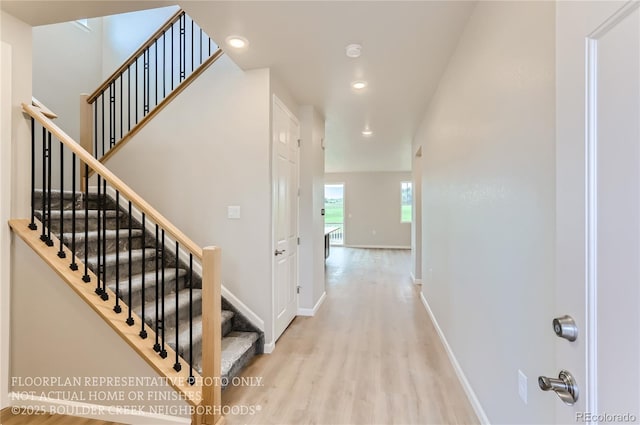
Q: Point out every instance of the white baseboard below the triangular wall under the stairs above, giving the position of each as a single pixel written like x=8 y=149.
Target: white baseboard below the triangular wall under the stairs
x=96 y=411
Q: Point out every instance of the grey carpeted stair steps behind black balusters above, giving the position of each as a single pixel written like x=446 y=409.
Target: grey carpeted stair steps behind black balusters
x=133 y=275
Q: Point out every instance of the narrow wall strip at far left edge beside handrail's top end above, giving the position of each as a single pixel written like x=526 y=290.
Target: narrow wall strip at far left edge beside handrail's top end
x=14 y=159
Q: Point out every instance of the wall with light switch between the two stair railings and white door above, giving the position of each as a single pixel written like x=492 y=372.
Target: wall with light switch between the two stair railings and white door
x=209 y=149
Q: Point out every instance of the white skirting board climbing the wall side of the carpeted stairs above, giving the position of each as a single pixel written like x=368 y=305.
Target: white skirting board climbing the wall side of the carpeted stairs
x=184 y=257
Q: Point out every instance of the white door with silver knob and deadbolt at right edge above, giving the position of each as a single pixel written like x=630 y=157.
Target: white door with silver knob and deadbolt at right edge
x=598 y=207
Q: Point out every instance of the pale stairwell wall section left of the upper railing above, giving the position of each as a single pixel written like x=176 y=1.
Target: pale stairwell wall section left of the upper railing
x=67 y=61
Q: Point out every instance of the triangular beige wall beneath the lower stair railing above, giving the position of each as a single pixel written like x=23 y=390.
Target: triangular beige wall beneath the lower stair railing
x=68 y=339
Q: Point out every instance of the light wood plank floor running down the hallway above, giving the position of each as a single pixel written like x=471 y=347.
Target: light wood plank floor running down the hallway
x=369 y=356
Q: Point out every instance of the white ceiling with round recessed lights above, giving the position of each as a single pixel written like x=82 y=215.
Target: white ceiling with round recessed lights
x=405 y=48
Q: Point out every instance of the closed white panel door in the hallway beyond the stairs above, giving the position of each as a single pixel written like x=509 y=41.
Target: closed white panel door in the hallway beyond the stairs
x=286 y=132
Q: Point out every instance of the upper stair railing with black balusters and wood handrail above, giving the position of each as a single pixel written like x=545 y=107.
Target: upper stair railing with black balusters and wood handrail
x=154 y=74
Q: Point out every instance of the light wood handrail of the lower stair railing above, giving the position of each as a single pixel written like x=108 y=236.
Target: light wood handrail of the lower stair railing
x=114 y=181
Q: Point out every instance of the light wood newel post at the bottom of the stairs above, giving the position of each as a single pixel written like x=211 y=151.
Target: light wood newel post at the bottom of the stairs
x=211 y=336
